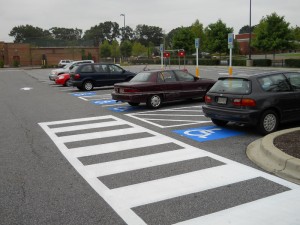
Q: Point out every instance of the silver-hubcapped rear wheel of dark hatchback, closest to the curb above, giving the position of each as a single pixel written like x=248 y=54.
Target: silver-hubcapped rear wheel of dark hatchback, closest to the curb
x=268 y=122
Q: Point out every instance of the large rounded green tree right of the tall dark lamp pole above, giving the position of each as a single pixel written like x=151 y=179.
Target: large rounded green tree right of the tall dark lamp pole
x=272 y=34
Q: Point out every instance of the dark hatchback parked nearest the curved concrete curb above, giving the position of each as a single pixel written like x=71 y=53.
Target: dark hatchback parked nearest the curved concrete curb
x=263 y=100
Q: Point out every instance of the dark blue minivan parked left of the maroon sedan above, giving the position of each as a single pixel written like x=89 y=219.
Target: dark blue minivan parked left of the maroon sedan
x=87 y=76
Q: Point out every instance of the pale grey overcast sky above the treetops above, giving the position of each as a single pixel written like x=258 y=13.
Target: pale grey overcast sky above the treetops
x=167 y=14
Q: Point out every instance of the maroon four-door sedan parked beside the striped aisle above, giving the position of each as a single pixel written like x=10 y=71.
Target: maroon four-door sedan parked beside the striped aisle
x=156 y=86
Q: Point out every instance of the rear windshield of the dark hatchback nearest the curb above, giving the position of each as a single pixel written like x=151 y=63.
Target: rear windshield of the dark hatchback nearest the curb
x=232 y=85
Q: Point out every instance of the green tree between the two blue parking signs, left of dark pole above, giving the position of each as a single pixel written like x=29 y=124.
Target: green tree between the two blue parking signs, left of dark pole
x=216 y=40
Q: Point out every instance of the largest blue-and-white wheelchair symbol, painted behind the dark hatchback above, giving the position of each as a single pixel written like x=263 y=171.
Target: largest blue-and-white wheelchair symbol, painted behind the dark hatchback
x=208 y=133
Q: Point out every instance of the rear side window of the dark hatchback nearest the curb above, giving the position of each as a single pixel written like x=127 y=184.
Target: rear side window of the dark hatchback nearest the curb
x=274 y=83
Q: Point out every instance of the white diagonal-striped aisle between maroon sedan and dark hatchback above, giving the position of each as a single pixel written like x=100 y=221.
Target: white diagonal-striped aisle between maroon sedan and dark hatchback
x=171 y=113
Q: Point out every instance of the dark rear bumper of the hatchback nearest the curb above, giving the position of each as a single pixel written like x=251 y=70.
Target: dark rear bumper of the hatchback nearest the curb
x=245 y=116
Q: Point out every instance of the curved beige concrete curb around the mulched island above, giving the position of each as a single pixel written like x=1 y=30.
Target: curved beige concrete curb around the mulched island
x=264 y=154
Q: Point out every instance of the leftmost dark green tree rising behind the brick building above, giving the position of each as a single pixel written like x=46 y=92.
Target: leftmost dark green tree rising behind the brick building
x=28 y=33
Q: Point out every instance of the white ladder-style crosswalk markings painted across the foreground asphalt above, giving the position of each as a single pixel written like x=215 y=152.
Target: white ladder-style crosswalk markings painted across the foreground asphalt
x=124 y=198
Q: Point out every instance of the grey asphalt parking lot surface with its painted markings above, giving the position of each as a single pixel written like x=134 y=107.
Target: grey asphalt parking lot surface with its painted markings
x=132 y=164
